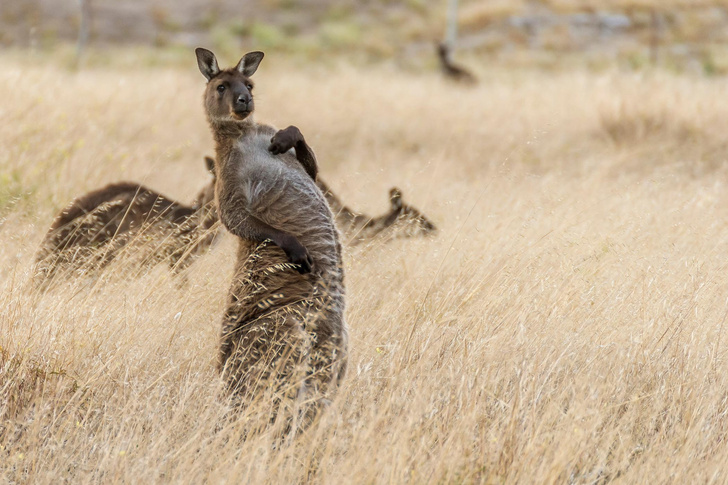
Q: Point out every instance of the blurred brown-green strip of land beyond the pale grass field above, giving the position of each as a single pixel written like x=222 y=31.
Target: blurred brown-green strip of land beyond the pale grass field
x=682 y=35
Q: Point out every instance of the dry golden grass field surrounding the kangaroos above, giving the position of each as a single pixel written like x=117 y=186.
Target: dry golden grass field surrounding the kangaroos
x=566 y=325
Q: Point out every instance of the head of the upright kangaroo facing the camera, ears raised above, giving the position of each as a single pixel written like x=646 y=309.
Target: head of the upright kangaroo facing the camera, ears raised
x=228 y=96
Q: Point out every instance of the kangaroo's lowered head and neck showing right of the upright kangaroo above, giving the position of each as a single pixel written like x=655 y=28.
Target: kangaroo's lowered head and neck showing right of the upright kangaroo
x=401 y=221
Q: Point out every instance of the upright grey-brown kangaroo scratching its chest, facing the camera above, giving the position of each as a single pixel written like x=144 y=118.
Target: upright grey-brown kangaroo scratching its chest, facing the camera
x=283 y=332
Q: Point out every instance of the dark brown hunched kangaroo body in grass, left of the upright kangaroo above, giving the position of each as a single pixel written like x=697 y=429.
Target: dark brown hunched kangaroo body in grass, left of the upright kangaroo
x=95 y=227
